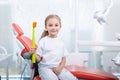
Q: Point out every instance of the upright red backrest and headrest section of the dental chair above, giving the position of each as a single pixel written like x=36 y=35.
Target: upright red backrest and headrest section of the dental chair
x=27 y=43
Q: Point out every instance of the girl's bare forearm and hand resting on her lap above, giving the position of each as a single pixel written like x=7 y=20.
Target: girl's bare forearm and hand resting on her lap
x=58 y=69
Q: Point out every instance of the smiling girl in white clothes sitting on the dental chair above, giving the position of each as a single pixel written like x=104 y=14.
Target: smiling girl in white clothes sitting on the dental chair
x=51 y=53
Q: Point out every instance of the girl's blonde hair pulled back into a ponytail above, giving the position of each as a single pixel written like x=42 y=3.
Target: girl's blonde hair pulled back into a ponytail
x=45 y=33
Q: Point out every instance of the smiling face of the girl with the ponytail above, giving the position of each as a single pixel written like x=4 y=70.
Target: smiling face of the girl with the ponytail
x=53 y=26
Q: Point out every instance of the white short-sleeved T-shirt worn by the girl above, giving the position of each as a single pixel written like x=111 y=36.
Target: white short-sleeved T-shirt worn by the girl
x=51 y=50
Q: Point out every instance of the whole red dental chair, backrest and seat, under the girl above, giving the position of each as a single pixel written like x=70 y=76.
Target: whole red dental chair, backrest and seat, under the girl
x=80 y=72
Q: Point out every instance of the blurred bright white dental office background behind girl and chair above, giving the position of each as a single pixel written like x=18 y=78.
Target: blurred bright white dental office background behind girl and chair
x=90 y=31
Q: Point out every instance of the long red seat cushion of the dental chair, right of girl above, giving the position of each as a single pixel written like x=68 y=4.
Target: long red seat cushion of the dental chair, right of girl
x=82 y=72
